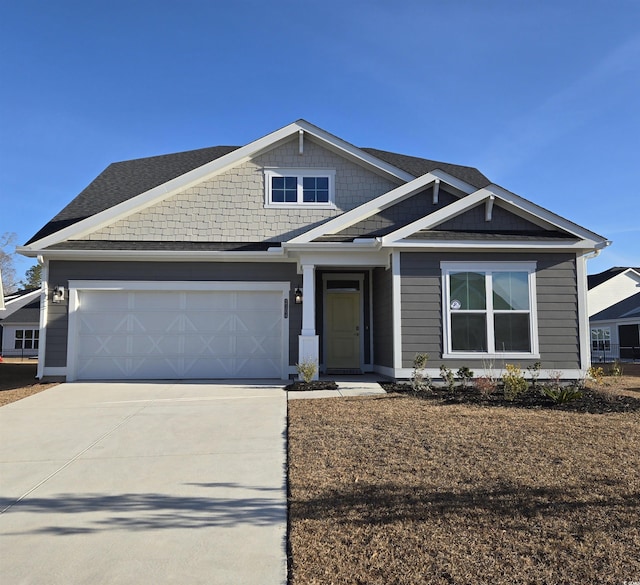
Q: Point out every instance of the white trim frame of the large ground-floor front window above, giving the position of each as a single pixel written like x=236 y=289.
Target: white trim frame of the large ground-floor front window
x=489 y=267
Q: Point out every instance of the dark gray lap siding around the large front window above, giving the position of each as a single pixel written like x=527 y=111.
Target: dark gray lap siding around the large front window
x=557 y=301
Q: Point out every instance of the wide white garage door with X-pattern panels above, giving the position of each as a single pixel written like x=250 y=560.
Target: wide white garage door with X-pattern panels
x=142 y=334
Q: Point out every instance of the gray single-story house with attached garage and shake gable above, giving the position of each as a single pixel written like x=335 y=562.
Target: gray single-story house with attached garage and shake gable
x=239 y=262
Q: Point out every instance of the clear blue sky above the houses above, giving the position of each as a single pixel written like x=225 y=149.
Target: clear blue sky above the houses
x=543 y=97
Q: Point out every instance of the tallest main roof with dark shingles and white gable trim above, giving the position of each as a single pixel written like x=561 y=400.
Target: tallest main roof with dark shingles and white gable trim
x=125 y=187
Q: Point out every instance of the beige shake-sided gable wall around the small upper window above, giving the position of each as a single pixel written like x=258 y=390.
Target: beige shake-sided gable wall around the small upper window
x=230 y=206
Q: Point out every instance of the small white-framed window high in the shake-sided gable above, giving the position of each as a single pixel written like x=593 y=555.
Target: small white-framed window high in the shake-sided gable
x=300 y=188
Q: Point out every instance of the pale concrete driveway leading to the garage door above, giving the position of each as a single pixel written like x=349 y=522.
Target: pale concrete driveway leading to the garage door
x=122 y=483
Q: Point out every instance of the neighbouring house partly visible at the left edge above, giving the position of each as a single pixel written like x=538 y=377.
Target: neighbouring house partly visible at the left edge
x=20 y=324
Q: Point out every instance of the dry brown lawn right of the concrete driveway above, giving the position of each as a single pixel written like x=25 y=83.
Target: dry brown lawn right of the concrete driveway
x=399 y=490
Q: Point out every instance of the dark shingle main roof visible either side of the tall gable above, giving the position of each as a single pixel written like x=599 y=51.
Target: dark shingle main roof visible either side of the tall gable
x=124 y=180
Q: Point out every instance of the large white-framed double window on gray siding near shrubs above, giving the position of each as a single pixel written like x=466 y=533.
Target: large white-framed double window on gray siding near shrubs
x=489 y=309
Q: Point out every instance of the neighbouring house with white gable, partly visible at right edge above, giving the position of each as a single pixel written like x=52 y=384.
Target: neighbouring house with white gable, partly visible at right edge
x=614 y=314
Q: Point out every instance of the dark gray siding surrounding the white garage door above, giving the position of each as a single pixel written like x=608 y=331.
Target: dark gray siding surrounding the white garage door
x=60 y=272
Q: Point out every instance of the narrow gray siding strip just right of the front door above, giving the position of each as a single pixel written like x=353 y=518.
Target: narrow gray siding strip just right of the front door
x=382 y=317
